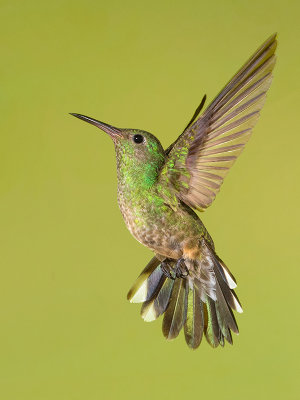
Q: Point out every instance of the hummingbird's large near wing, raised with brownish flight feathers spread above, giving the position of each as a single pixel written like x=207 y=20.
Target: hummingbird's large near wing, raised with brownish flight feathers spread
x=200 y=158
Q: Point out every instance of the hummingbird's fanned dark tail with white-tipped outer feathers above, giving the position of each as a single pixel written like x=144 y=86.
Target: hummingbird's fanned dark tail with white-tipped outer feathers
x=202 y=302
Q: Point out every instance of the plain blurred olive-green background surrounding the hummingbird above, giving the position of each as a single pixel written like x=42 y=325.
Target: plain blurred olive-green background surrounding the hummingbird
x=67 y=260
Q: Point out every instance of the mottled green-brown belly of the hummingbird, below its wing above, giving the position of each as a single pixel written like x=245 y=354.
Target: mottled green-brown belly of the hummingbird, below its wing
x=166 y=232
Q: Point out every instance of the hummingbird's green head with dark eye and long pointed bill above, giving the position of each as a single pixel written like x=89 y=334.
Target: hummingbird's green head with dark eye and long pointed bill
x=139 y=153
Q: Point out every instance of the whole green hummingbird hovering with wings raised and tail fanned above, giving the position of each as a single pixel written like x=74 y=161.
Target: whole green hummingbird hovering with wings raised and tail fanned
x=159 y=192
